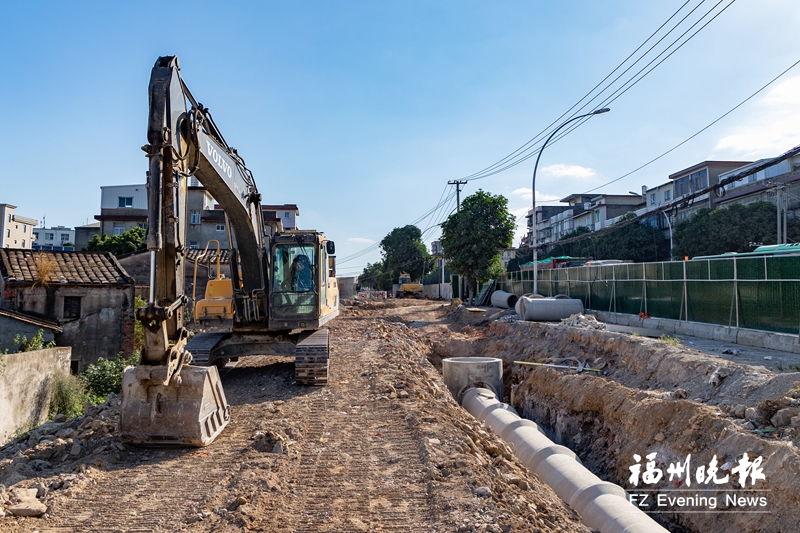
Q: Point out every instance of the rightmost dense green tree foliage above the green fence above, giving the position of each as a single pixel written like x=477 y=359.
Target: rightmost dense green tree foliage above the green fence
x=729 y=229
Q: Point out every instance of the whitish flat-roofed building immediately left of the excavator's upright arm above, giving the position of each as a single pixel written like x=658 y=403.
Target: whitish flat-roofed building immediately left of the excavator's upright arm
x=122 y=207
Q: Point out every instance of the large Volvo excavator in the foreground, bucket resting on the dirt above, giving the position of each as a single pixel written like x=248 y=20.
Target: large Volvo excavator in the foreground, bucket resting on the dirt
x=283 y=286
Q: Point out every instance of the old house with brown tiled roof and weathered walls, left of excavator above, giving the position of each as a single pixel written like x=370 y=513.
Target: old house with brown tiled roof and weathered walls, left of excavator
x=87 y=294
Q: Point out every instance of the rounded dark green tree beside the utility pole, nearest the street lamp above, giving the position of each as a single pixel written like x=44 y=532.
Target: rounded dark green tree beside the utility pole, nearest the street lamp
x=473 y=239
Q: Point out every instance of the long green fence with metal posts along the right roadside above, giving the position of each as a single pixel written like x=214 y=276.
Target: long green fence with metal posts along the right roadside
x=752 y=292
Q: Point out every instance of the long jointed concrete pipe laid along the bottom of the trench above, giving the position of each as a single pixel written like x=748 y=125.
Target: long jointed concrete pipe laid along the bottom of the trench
x=602 y=505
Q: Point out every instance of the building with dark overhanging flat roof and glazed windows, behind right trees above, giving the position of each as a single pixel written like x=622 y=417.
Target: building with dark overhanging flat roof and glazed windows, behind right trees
x=695 y=178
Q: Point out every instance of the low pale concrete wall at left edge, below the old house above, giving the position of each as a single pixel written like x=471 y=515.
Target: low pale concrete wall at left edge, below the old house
x=25 y=380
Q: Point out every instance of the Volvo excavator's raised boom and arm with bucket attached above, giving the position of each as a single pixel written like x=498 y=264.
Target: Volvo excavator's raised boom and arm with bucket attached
x=165 y=400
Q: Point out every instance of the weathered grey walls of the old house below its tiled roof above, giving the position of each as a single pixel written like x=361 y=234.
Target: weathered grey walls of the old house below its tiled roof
x=105 y=325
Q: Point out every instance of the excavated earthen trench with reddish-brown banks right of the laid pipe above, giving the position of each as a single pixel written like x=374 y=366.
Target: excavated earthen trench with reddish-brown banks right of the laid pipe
x=655 y=396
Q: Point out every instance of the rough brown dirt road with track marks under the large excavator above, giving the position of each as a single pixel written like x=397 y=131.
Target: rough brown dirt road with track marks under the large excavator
x=382 y=448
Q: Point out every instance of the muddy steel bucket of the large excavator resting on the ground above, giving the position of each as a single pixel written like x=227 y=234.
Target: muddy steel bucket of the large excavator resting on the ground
x=190 y=414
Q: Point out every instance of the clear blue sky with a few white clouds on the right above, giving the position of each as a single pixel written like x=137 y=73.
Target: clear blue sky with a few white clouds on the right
x=360 y=112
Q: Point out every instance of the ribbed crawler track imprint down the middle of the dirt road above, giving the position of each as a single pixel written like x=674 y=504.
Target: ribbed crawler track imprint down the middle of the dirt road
x=361 y=460
